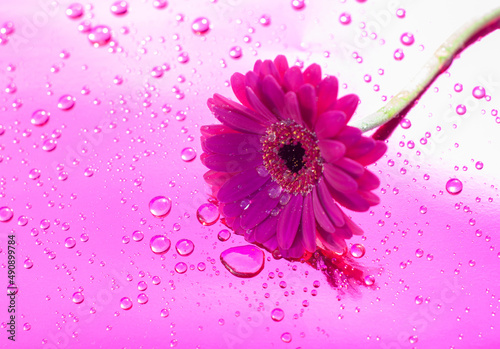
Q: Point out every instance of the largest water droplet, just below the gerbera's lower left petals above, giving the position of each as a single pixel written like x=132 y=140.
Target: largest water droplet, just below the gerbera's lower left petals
x=243 y=261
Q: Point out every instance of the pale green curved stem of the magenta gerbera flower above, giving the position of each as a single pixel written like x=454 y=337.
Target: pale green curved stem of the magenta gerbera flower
x=436 y=65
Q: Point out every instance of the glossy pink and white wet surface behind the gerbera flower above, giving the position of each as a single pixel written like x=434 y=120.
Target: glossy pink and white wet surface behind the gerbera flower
x=133 y=148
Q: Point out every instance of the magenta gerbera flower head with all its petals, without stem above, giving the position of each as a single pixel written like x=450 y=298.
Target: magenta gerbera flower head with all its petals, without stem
x=283 y=160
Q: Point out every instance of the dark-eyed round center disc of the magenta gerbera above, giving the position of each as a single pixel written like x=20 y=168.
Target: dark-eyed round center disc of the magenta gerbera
x=292 y=157
